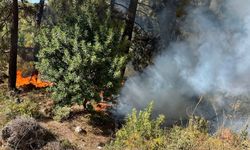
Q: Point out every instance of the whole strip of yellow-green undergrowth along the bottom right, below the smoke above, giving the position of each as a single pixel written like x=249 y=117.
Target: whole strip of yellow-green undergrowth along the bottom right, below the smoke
x=140 y=132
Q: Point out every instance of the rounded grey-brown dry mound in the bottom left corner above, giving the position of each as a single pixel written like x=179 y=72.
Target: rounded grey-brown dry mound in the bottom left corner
x=25 y=133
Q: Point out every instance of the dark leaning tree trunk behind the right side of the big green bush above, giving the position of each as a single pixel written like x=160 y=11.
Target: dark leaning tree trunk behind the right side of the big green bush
x=129 y=26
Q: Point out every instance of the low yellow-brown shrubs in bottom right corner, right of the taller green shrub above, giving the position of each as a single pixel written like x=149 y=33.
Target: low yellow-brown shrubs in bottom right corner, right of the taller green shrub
x=196 y=136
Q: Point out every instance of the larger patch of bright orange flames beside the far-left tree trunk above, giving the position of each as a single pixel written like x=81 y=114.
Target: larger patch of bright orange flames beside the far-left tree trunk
x=31 y=80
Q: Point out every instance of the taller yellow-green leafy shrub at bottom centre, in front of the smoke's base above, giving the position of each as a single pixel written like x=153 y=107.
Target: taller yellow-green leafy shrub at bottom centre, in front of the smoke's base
x=140 y=132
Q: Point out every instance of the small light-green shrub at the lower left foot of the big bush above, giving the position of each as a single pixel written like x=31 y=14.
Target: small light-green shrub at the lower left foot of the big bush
x=61 y=113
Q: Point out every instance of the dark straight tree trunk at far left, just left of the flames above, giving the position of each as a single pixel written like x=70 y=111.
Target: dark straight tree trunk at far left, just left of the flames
x=14 y=46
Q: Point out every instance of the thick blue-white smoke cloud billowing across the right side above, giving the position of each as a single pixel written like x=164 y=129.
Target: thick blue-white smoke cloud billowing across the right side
x=213 y=61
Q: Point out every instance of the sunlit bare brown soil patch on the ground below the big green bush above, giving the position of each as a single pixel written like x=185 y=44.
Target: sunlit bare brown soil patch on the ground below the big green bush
x=90 y=139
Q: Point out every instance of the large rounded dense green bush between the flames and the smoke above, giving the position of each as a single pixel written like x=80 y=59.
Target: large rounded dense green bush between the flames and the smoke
x=81 y=56
